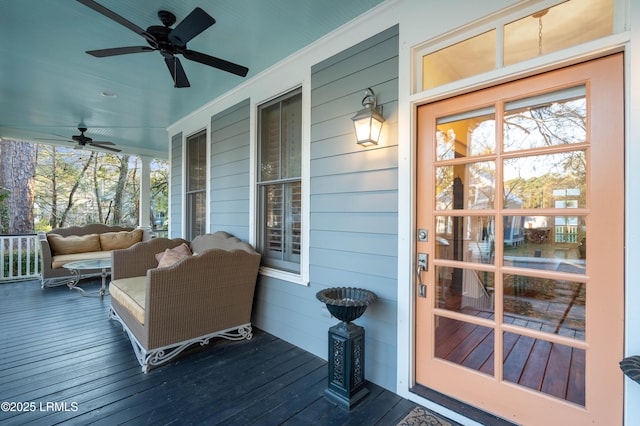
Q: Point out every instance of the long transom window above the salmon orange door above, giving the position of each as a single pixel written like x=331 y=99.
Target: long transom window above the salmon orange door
x=545 y=31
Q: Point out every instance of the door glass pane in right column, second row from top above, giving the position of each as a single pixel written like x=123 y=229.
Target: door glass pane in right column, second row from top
x=546 y=181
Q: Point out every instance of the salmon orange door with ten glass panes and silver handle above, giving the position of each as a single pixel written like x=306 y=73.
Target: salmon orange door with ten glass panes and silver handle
x=520 y=220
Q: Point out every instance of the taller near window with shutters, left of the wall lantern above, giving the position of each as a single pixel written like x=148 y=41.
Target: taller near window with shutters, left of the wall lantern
x=279 y=182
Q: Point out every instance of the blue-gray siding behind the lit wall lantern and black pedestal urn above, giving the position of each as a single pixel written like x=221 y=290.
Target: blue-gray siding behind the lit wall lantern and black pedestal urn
x=353 y=211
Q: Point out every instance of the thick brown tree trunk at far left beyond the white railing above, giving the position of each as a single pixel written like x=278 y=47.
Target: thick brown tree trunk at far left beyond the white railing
x=17 y=175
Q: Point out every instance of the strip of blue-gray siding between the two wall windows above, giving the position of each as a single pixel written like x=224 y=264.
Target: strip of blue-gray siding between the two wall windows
x=229 y=177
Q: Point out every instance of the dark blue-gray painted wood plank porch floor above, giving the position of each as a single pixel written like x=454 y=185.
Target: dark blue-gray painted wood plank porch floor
x=61 y=356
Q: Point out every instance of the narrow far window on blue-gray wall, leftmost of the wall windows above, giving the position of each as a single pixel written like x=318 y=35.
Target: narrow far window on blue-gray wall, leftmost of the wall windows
x=196 y=185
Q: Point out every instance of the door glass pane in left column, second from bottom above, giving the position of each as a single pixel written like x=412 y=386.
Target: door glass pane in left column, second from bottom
x=464 y=290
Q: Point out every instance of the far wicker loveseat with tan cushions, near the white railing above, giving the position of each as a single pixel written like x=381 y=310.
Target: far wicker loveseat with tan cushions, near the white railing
x=93 y=241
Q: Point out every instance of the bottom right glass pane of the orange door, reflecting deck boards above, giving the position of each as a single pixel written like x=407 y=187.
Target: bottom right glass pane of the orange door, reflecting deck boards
x=551 y=368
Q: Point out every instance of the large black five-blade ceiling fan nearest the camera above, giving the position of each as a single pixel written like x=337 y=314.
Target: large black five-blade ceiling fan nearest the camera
x=168 y=41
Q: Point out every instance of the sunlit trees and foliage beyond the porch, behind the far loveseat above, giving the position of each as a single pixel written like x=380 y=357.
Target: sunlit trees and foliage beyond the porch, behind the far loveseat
x=75 y=187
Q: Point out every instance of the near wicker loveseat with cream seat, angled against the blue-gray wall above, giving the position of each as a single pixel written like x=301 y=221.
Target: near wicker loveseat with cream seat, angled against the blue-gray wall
x=201 y=296
